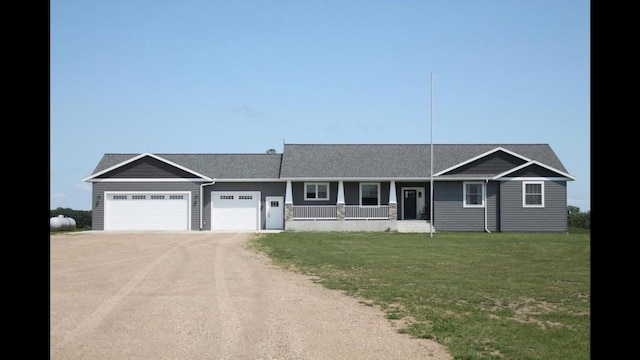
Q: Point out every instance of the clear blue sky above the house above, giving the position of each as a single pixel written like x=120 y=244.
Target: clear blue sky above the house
x=241 y=76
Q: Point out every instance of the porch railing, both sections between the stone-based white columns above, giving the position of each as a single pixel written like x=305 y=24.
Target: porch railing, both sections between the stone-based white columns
x=330 y=212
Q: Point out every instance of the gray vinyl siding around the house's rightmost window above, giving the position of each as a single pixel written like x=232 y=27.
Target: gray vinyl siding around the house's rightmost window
x=516 y=218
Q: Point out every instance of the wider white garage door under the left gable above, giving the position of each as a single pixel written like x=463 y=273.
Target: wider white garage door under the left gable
x=147 y=211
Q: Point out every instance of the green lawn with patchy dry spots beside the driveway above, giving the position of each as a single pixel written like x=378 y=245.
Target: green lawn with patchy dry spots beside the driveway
x=483 y=295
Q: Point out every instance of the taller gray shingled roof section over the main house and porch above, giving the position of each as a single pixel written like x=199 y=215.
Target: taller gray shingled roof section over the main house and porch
x=394 y=160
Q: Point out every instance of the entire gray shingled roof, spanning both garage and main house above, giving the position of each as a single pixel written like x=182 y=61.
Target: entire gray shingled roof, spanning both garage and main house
x=332 y=161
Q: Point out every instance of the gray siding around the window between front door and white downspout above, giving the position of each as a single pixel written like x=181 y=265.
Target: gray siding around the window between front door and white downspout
x=449 y=214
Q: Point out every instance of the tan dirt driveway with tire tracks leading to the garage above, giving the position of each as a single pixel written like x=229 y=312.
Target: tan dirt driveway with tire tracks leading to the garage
x=204 y=296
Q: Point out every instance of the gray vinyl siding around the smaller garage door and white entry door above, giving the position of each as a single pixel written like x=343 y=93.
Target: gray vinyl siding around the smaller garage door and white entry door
x=265 y=189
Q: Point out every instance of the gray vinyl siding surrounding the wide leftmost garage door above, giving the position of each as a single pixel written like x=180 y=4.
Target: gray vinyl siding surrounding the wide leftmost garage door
x=99 y=188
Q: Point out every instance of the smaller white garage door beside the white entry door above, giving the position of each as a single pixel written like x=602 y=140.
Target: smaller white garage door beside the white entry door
x=235 y=210
